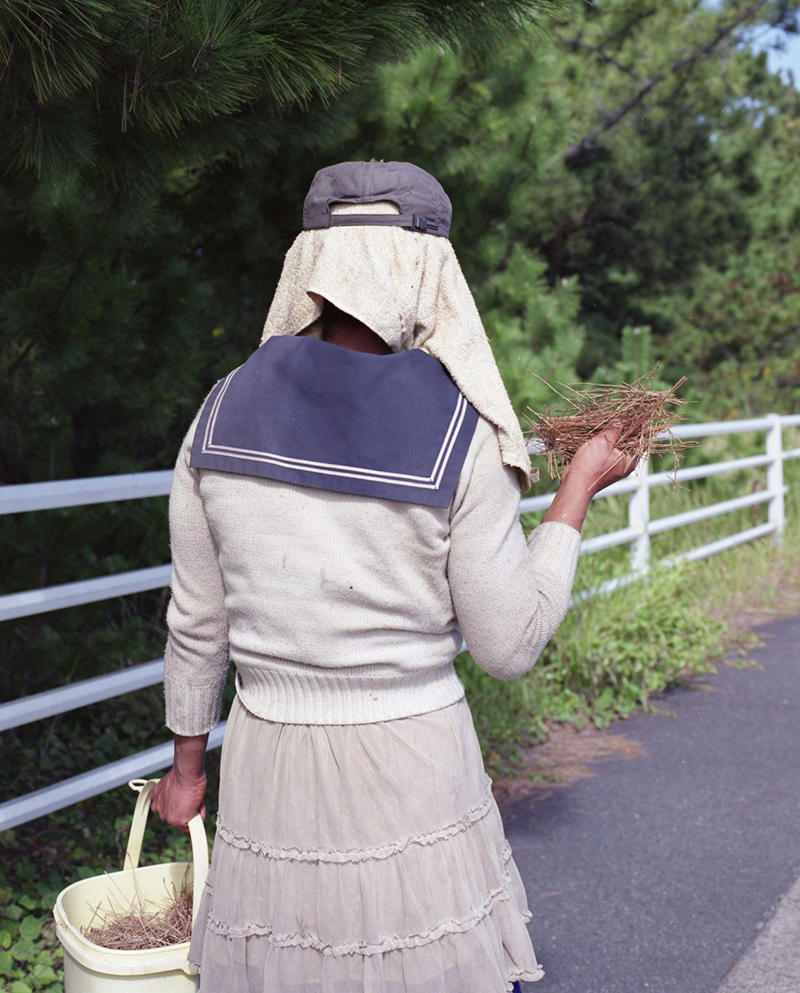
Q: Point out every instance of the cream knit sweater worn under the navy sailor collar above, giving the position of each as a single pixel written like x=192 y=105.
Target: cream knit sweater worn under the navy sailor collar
x=345 y=609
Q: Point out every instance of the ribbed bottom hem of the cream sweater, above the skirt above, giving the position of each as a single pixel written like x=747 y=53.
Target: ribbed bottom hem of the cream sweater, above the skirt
x=294 y=693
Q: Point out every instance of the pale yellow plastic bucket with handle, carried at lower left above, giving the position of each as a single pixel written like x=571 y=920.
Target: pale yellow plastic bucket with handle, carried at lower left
x=90 y=968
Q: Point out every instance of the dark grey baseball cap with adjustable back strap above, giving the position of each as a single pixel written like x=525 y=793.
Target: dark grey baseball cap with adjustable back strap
x=423 y=204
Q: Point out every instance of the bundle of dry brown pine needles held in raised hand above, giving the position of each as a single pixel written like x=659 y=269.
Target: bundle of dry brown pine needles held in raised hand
x=645 y=417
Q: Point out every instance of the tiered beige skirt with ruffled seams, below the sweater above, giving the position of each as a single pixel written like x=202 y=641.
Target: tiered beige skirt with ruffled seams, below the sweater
x=366 y=858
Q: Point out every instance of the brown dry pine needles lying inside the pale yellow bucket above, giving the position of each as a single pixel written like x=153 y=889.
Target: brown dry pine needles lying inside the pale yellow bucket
x=139 y=926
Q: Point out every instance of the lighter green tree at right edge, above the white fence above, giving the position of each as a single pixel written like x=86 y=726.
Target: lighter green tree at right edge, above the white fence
x=737 y=326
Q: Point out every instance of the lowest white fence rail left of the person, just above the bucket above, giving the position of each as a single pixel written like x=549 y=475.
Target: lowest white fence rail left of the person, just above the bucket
x=88 y=784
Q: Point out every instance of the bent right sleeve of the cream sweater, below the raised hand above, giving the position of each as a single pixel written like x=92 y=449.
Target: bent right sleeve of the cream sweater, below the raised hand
x=510 y=593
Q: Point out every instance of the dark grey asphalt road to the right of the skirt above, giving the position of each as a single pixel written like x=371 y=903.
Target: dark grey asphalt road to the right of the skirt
x=658 y=873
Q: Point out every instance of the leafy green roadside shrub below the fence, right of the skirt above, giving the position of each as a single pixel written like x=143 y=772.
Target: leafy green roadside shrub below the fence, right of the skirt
x=605 y=660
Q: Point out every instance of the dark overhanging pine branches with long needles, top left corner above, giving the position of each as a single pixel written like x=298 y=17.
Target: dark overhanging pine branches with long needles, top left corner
x=77 y=75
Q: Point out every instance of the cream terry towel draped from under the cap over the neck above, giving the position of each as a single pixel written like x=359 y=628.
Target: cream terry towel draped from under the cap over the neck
x=409 y=289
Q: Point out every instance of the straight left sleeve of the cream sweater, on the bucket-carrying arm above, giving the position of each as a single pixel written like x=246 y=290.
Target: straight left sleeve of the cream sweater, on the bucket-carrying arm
x=196 y=657
